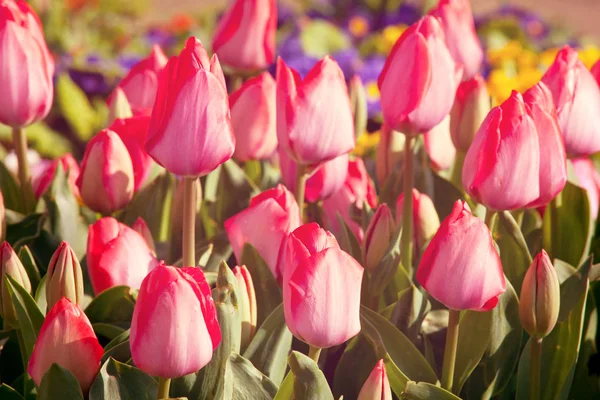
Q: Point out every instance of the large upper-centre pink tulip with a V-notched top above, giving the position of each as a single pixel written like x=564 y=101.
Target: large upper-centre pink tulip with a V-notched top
x=314 y=116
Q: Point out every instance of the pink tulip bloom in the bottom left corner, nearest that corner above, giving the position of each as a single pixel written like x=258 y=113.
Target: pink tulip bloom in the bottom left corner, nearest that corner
x=67 y=339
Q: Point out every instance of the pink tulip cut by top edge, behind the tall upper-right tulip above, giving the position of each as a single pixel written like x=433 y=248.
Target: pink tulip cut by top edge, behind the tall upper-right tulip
x=457 y=21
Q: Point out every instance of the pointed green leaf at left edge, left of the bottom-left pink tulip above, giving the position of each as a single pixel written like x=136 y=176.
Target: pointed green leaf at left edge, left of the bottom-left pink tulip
x=29 y=316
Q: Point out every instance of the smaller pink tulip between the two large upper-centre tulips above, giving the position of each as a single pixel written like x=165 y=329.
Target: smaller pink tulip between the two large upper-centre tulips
x=253 y=118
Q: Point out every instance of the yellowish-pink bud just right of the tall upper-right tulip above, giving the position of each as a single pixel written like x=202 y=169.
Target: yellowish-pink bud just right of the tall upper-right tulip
x=471 y=106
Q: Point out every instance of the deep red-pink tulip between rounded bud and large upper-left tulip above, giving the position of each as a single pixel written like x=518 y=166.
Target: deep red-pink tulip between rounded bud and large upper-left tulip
x=132 y=132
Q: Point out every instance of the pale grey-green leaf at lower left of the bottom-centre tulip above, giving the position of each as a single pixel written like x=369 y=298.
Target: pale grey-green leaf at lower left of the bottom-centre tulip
x=269 y=348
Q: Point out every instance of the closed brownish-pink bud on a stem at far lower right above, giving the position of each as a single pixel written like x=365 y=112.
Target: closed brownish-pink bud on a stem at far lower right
x=540 y=297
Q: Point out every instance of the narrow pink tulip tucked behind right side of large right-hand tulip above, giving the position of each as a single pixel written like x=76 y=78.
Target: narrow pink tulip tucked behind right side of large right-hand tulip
x=553 y=159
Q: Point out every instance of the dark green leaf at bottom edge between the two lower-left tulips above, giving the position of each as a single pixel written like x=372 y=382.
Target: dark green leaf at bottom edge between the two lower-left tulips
x=118 y=381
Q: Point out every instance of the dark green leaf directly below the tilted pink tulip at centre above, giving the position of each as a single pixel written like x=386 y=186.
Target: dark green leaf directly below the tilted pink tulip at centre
x=268 y=292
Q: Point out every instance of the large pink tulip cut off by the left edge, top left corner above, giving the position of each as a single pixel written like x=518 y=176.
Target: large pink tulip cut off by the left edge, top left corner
x=26 y=66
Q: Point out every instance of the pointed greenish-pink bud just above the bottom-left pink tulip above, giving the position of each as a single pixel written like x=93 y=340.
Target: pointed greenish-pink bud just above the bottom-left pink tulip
x=64 y=277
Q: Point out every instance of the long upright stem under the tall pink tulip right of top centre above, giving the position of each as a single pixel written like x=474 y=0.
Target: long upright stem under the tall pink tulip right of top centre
x=407 y=209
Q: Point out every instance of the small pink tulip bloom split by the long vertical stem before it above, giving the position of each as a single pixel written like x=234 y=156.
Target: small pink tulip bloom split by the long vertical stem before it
x=425 y=218
